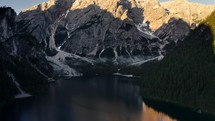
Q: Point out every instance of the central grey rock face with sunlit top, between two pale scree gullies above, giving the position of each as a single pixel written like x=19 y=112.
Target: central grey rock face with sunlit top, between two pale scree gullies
x=96 y=28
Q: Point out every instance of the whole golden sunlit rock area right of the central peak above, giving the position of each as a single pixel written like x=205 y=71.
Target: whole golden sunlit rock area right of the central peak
x=159 y=13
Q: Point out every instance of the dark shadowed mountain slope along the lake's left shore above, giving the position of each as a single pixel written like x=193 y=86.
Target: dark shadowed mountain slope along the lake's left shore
x=22 y=62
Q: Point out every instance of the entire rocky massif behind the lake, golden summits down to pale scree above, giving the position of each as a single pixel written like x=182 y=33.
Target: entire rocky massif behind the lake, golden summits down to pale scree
x=74 y=34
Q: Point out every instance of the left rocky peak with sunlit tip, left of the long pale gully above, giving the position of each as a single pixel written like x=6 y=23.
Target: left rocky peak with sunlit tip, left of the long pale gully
x=42 y=20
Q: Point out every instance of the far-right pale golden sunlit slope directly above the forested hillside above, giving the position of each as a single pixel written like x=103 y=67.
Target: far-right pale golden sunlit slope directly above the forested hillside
x=190 y=12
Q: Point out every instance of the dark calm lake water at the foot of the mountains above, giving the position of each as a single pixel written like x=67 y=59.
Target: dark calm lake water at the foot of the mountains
x=111 y=98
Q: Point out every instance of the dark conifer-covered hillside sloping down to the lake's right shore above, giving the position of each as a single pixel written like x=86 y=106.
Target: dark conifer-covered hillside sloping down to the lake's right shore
x=186 y=75
